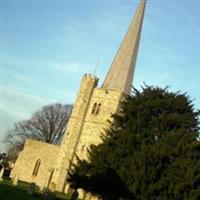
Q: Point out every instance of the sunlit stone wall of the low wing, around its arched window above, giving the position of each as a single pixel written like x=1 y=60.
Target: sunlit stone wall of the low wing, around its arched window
x=24 y=166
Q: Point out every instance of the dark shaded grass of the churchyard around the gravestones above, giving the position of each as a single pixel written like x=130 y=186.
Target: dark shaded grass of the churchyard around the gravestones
x=19 y=192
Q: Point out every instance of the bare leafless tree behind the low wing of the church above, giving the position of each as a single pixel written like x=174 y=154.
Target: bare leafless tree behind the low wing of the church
x=47 y=125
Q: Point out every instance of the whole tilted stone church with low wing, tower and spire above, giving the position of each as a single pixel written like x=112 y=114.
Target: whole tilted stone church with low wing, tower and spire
x=47 y=165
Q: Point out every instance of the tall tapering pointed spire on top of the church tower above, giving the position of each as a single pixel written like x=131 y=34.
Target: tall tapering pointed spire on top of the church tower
x=120 y=75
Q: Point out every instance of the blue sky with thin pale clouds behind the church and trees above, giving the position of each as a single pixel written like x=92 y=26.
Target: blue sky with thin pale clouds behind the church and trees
x=46 y=47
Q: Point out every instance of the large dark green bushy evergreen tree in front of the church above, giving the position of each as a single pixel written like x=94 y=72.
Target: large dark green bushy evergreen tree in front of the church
x=151 y=151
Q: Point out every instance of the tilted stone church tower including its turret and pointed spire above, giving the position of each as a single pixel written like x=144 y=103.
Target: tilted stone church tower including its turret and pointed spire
x=95 y=105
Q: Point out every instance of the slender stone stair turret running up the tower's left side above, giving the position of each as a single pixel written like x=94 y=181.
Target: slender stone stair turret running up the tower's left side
x=74 y=128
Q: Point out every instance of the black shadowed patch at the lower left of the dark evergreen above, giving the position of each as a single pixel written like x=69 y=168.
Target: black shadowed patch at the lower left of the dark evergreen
x=107 y=185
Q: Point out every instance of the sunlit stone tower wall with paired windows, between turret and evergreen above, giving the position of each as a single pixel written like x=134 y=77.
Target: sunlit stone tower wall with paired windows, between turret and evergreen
x=94 y=124
